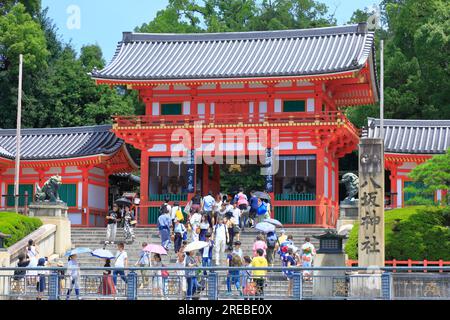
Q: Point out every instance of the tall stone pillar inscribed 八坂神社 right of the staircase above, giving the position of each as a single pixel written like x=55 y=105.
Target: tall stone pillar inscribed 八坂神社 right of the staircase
x=371 y=203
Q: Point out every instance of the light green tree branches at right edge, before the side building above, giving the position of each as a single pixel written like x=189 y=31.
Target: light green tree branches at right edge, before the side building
x=433 y=175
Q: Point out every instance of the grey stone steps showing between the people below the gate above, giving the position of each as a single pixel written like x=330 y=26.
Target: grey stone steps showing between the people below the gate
x=277 y=285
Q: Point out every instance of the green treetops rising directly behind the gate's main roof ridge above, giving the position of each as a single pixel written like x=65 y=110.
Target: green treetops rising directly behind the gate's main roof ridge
x=238 y=15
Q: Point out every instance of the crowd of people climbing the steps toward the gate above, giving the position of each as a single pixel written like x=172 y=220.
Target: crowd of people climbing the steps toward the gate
x=218 y=221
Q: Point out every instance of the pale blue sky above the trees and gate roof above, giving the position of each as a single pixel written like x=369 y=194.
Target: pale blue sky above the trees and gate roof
x=103 y=21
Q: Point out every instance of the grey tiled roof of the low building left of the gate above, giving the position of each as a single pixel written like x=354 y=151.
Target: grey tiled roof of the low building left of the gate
x=60 y=143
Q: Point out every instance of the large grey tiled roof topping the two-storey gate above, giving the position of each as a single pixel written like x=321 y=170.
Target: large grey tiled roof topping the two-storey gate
x=240 y=54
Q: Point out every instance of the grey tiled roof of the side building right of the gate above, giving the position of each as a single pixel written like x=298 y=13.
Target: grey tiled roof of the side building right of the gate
x=412 y=136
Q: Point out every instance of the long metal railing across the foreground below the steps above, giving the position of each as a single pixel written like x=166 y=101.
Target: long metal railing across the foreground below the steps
x=221 y=283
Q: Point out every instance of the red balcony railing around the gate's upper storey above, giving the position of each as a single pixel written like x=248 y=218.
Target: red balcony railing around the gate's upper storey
x=224 y=119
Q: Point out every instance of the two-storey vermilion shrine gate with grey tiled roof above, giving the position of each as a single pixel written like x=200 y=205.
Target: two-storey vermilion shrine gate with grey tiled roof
x=293 y=83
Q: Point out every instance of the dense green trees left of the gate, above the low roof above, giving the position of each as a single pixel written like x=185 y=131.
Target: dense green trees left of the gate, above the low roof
x=57 y=88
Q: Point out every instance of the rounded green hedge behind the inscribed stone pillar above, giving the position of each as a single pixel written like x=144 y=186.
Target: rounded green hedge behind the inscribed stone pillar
x=416 y=233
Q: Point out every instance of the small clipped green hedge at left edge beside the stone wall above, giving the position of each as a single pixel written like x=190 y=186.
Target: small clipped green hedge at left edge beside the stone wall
x=18 y=226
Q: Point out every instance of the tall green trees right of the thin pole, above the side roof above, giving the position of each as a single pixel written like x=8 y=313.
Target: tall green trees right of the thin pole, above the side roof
x=417 y=55
